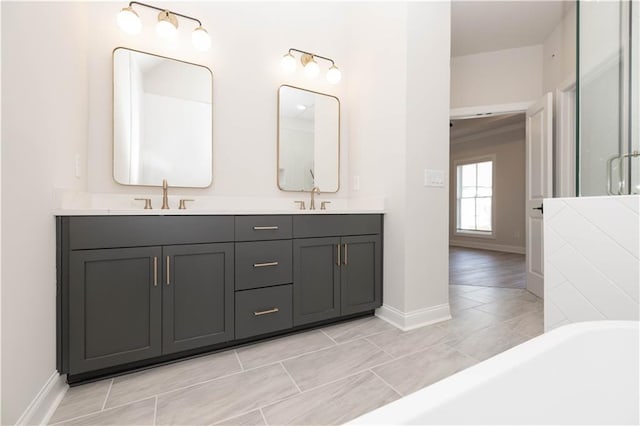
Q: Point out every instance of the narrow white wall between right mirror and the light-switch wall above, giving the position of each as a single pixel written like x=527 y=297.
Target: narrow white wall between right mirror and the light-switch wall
x=378 y=46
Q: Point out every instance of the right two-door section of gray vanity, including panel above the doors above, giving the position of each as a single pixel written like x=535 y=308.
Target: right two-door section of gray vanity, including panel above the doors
x=337 y=266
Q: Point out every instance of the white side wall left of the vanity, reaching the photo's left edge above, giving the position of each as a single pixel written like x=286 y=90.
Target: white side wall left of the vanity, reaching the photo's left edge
x=44 y=106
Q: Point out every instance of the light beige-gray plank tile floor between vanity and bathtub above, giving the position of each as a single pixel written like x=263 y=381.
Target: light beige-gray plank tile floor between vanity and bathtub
x=323 y=376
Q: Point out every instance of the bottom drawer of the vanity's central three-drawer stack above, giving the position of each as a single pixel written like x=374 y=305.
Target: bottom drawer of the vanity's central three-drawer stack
x=263 y=310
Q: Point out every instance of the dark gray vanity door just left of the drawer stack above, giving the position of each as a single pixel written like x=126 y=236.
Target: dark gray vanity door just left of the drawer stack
x=197 y=296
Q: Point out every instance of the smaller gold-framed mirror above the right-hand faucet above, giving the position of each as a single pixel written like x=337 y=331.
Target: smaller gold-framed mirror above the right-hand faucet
x=308 y=140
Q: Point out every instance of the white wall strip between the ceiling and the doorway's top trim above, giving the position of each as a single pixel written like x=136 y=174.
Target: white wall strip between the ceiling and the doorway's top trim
x=498 y=77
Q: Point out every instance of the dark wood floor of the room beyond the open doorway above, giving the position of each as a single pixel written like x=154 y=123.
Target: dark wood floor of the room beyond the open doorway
x=486 y=268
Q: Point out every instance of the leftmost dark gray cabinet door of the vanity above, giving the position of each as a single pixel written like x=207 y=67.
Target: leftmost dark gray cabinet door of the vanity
x=114 y=307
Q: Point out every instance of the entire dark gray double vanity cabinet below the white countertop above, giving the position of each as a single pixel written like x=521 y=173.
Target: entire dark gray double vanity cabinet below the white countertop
x=136 y=290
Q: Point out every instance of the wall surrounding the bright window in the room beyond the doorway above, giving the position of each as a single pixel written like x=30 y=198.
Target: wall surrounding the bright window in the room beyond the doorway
x=509 y=186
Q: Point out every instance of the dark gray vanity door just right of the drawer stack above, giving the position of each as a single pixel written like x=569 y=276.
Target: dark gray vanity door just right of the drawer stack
x=316 y=280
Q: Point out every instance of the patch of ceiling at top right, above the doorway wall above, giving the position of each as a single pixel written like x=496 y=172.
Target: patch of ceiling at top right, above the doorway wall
x=483 y=26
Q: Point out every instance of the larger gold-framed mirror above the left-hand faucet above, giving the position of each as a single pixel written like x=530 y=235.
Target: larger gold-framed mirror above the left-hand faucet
x=162 y=121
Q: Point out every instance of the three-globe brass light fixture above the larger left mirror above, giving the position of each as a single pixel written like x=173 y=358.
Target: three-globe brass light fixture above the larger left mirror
x=167 y=26
